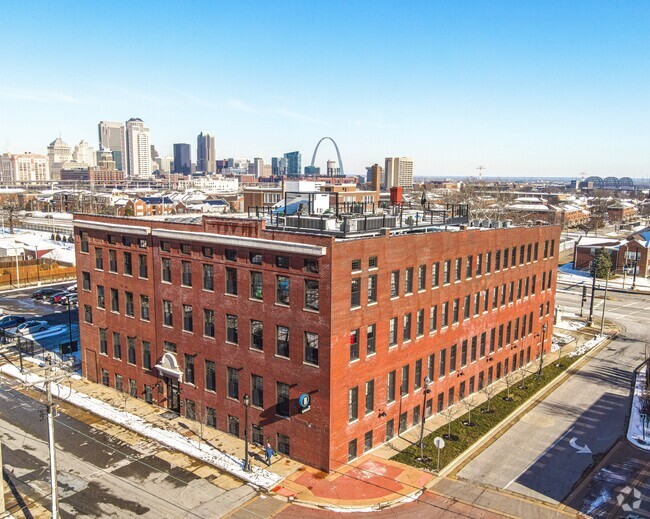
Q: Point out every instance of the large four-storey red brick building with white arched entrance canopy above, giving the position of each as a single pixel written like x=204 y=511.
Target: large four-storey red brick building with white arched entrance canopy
x=195 y=314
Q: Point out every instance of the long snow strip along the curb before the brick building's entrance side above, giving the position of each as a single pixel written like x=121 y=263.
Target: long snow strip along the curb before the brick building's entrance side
x=258 y=476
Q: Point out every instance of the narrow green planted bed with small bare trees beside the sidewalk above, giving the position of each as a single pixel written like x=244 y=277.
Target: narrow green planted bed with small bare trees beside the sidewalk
x=459 y=436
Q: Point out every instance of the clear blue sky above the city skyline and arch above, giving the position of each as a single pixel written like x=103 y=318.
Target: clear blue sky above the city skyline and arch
x=523 y=88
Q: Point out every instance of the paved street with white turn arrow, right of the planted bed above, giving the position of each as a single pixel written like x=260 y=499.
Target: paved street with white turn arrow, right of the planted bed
x=546 y=454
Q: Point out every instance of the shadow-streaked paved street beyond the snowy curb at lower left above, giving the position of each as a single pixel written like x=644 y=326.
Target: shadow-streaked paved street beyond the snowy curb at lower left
x=104 y=470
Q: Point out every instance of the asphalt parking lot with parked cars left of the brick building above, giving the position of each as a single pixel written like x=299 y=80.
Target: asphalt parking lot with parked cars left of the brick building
x=20 y=303
